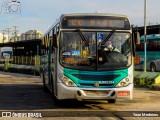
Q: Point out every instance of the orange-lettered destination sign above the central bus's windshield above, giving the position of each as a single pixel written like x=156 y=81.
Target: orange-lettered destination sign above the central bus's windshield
x=94 y=22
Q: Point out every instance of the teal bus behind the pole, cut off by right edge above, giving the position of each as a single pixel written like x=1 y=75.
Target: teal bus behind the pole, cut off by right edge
x=152 y=56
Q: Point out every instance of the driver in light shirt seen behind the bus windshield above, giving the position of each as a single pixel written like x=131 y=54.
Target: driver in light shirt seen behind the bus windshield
x=109 y=47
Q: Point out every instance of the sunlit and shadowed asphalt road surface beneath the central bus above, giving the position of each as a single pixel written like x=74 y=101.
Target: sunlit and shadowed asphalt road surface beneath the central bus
x=24 y=94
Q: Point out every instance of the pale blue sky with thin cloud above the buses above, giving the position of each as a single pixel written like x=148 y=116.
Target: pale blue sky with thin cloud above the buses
x=40 y=14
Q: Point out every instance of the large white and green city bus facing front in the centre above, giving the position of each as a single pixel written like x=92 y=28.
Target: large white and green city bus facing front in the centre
x=76 y=62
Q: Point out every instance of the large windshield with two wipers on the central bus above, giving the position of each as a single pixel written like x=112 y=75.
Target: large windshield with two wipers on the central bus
x=103 y=51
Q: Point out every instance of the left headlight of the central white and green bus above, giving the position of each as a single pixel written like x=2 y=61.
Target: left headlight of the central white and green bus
x=66 y=81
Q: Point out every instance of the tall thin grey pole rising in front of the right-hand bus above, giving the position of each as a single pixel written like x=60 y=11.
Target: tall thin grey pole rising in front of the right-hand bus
x=145 y=40
